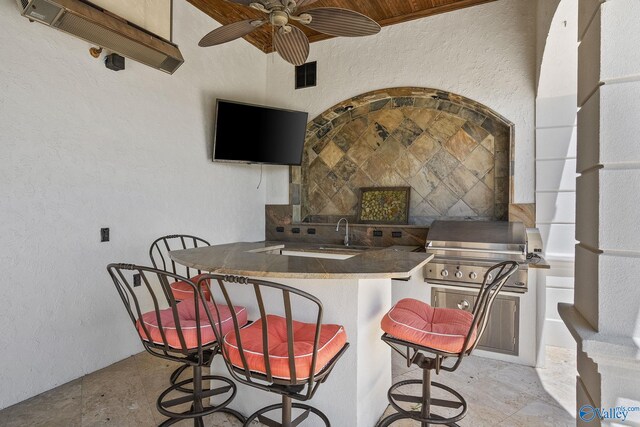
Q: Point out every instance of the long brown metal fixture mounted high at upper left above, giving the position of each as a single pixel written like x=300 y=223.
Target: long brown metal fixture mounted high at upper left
x=103 y=29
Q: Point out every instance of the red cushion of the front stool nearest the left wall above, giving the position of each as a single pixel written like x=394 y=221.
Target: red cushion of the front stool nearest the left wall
x=187 y=319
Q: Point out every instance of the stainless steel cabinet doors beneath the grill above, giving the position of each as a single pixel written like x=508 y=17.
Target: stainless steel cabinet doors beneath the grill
x=501 y=334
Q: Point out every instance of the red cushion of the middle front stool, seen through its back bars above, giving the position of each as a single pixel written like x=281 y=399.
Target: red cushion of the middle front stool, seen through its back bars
x=332 y=339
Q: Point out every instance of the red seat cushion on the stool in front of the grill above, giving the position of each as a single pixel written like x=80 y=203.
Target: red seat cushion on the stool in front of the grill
x=443 y=329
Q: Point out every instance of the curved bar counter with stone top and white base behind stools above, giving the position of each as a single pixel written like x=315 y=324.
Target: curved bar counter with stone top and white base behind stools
x=354 y=285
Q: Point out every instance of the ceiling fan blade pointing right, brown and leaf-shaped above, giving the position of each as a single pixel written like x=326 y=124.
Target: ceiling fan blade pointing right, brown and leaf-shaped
x=341 y=22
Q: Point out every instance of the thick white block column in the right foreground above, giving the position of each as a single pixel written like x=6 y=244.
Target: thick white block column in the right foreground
x=605 y=317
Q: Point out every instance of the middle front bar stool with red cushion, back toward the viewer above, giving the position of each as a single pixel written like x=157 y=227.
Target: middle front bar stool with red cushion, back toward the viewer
x=276 y=353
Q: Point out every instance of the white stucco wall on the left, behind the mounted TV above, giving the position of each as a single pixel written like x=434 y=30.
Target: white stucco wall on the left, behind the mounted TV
x=82 y=148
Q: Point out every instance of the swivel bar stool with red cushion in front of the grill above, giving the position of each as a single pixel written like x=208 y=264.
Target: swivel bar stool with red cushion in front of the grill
x=428 y=337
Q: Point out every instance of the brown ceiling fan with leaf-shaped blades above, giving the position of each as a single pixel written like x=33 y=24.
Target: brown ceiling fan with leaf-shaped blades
x=289 y=41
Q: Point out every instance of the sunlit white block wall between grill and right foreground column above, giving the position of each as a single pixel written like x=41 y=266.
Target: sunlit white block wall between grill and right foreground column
x=556 y=142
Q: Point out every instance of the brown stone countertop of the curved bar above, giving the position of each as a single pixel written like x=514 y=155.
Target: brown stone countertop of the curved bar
x=263 y=259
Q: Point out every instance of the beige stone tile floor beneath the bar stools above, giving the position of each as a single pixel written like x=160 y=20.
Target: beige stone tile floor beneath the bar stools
x=124 y=394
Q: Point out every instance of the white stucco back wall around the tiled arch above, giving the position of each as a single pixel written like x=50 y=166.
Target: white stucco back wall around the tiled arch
x=486 y=53
